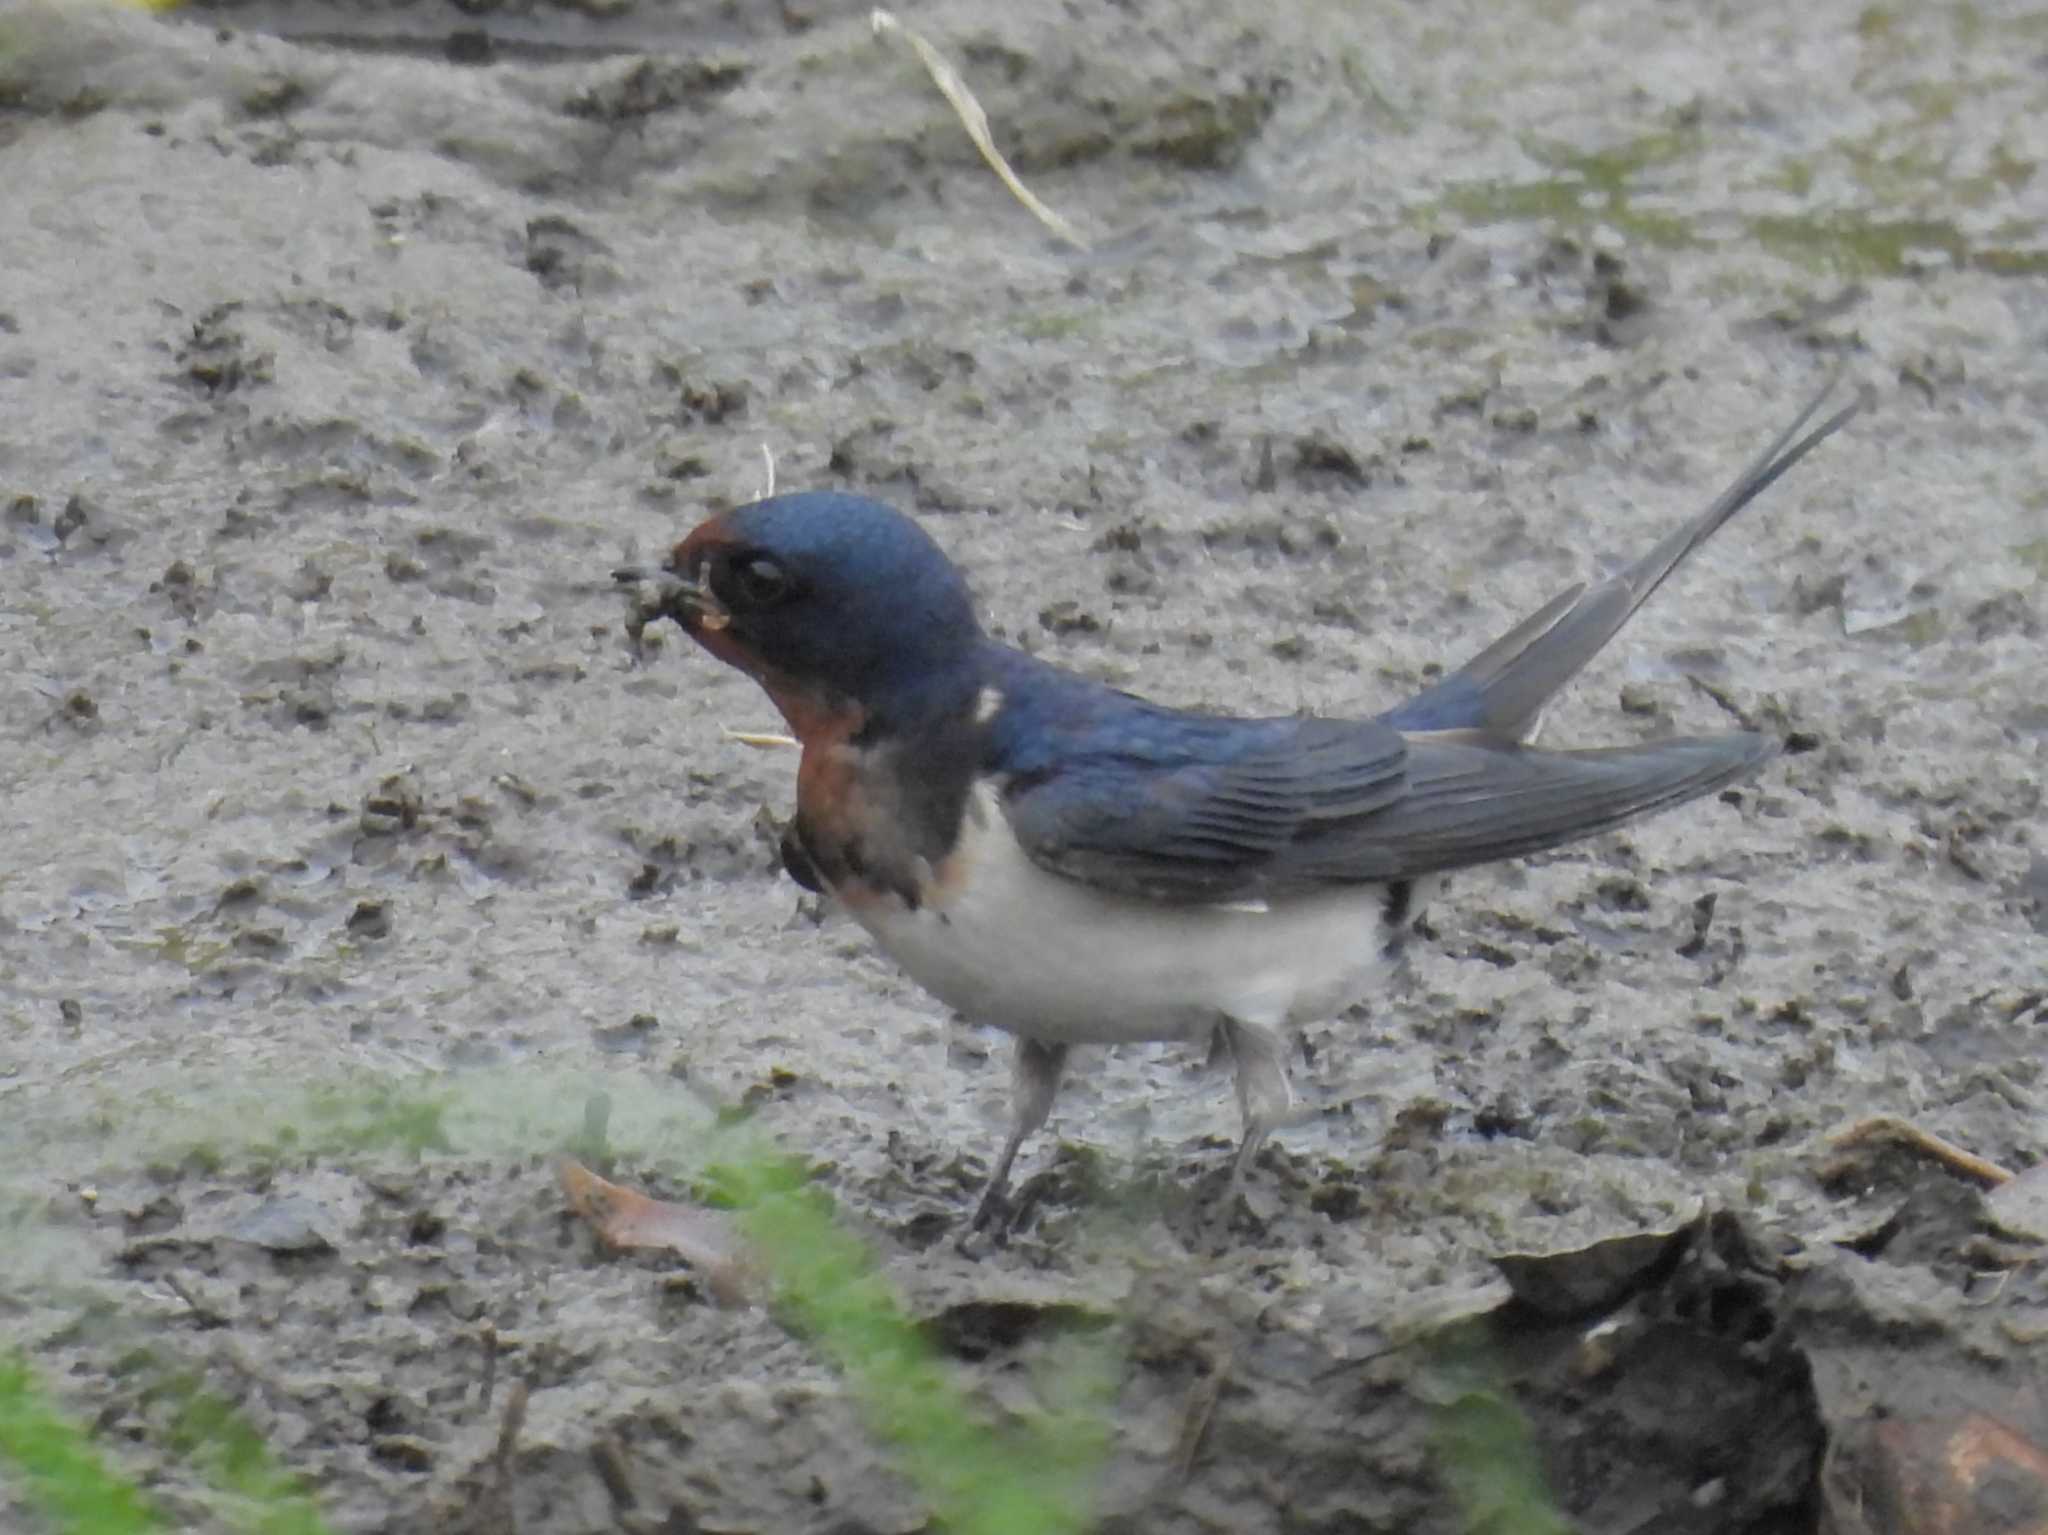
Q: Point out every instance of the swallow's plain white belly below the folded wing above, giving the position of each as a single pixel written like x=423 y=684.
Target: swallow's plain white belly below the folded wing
x=1058 y=961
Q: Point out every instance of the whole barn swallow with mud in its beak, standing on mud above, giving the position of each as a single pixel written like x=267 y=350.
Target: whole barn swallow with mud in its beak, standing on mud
x=1078 y=865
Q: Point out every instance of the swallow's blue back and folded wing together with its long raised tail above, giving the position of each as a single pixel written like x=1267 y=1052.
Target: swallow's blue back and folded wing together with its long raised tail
x=1168 y=805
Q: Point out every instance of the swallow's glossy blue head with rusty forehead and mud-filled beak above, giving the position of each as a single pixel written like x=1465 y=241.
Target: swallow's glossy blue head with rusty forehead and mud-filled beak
x=828 y=601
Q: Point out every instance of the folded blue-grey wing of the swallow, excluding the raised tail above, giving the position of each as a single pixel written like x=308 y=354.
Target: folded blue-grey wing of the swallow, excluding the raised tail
x=1201 y=809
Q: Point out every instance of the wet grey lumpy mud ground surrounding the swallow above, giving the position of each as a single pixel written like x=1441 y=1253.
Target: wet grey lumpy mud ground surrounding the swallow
x=351 y=852
